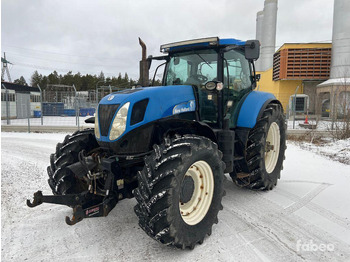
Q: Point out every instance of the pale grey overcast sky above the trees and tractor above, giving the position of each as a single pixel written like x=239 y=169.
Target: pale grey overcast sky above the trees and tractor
x=93 y=36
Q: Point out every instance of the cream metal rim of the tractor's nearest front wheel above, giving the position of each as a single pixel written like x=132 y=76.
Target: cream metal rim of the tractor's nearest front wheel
x=193 y=211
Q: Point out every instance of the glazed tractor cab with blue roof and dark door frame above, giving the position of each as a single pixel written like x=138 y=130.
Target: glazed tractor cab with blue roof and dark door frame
x=221 y=72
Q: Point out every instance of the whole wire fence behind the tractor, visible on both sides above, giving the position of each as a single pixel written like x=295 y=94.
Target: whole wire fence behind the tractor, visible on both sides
x=61 y=107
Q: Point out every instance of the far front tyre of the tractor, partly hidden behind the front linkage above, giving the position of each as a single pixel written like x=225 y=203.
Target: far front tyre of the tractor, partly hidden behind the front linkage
x=61 y=180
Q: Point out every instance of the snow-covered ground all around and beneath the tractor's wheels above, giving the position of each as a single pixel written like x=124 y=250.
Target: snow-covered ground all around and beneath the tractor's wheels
x=305 y=218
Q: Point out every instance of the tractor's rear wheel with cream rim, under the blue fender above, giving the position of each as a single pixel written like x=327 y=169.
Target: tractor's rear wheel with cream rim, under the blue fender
x=265 y=150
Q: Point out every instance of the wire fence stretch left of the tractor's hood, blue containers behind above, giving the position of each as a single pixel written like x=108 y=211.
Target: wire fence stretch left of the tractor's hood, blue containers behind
x=61 y=107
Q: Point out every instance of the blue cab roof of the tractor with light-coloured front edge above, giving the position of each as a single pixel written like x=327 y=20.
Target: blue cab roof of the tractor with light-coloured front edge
x=202 y=42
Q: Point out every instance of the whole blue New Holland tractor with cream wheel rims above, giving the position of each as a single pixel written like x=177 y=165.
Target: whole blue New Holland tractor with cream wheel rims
x=169 y=146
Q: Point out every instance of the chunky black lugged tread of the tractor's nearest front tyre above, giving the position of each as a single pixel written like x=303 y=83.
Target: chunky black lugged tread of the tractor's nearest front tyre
x=153 y=194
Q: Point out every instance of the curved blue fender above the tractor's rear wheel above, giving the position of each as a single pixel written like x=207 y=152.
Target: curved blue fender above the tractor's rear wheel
x=251 y=107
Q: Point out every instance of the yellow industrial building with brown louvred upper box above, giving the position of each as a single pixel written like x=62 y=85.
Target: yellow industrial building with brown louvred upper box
x=297 y=65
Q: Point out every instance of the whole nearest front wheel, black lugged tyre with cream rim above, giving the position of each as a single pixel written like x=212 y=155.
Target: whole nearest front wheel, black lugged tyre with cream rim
x=180 y=191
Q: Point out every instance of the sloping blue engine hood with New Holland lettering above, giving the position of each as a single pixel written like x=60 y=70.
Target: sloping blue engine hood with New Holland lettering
x=164 y=101
